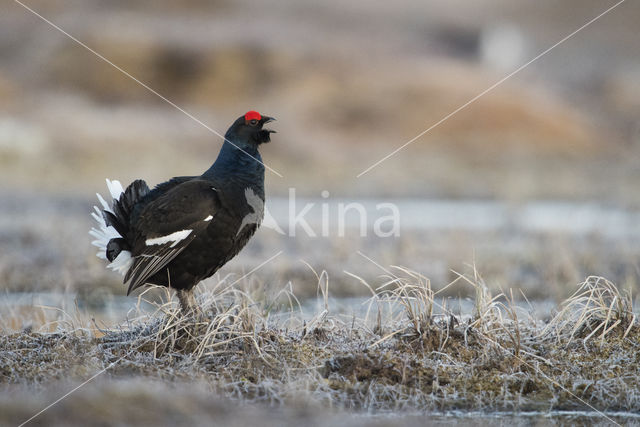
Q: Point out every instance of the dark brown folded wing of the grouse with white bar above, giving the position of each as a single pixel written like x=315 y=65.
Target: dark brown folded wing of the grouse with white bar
x=167 y=225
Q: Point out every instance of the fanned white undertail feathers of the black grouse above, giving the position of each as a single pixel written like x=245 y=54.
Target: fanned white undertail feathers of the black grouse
x=103 y=233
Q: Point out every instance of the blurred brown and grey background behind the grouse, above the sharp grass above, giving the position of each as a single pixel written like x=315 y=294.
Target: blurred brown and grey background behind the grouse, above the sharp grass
x=535 y=183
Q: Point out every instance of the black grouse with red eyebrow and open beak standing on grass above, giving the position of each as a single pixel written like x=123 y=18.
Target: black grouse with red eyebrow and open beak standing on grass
x=185 y=229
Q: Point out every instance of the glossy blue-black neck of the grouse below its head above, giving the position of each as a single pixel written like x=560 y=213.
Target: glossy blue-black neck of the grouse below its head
x=238 y=162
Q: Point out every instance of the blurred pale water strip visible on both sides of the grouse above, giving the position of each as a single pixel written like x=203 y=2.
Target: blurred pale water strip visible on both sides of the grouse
x=579 y=218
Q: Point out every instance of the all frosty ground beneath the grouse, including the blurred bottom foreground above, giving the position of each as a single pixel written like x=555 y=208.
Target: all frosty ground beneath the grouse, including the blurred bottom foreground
x=404 y=355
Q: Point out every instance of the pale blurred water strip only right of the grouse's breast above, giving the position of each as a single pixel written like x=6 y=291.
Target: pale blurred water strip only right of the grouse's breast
x=468 y=215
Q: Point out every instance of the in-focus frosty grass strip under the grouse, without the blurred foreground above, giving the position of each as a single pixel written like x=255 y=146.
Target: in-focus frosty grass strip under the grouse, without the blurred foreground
x=402 y=355
